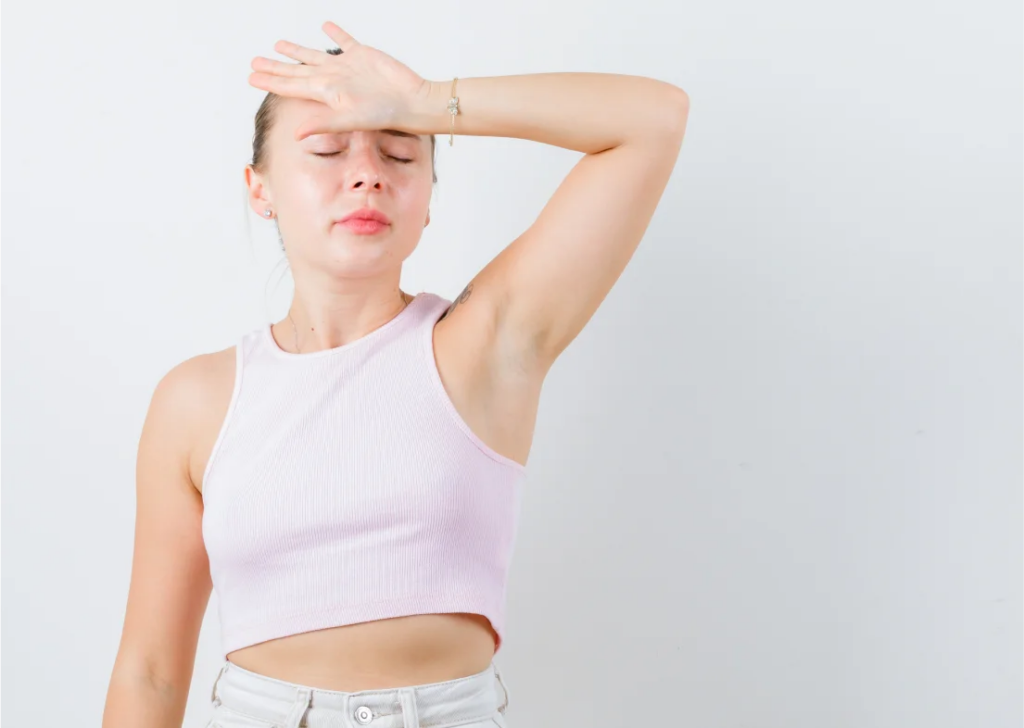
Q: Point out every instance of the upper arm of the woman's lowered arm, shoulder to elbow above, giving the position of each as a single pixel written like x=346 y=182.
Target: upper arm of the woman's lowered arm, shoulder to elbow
x=170 y=583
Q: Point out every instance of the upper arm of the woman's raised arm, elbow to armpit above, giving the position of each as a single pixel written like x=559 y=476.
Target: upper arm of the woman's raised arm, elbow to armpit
x=548 y=283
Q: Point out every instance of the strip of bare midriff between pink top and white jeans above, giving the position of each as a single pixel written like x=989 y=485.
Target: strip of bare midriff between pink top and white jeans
x=371 y=656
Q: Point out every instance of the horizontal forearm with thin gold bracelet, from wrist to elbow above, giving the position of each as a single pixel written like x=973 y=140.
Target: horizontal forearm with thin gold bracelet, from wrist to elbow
x=584 y=112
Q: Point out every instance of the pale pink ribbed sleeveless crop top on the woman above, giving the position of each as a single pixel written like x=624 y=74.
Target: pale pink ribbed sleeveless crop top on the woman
x=344 y=487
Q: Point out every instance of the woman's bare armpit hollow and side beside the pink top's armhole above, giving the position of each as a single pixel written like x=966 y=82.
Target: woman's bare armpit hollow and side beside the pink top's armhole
x=493 y=382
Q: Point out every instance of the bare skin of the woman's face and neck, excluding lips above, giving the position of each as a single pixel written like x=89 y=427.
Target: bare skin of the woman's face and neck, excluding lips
x=346 y=284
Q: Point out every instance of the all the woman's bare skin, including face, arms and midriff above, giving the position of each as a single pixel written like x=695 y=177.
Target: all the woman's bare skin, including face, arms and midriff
x=494 y=347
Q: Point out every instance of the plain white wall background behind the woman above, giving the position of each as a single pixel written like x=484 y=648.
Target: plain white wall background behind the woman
x=776 y=483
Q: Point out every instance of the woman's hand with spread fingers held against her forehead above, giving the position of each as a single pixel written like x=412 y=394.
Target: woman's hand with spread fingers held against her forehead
x=365 y=89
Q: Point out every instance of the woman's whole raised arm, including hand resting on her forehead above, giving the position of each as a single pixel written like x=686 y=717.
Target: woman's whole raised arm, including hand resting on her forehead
x=546 y=284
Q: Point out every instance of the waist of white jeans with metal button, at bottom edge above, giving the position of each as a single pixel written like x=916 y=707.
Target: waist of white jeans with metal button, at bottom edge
x=245 y=700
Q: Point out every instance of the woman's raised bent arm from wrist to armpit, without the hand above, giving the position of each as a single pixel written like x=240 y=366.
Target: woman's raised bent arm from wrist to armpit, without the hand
x=547 y=284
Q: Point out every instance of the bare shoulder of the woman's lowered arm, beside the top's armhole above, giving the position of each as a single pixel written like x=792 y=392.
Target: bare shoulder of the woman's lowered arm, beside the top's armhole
x=192 y=401
